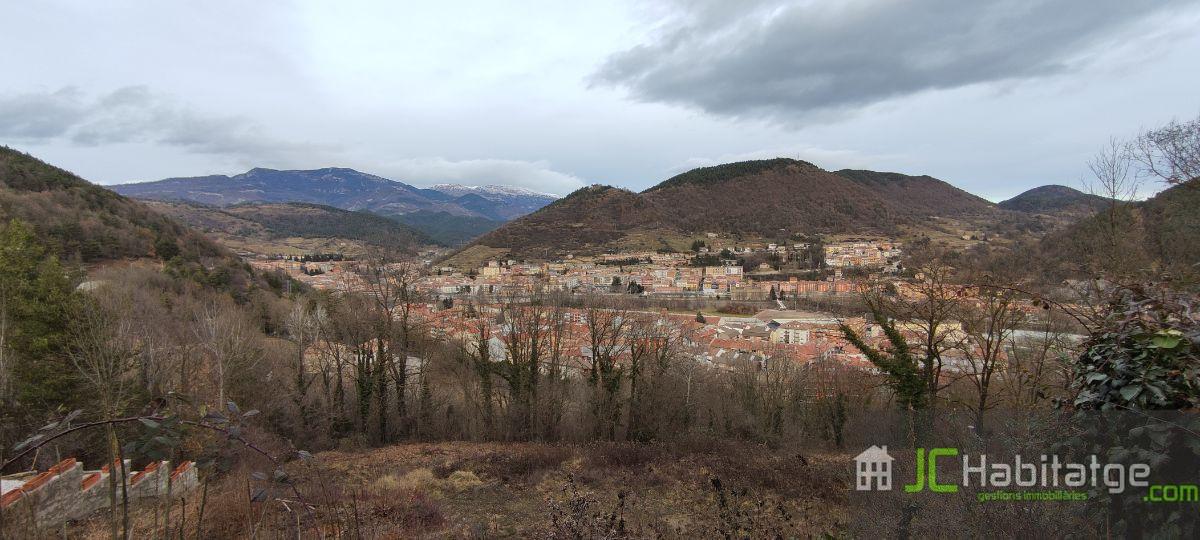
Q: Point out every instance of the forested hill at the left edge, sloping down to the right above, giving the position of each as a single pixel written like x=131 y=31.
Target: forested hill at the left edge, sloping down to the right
x=77 y=219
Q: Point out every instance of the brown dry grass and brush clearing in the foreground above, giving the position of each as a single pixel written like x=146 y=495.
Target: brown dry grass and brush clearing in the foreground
x=525 y=490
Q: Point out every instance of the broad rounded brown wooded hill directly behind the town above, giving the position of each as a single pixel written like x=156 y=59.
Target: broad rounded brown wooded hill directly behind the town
x=767 y=199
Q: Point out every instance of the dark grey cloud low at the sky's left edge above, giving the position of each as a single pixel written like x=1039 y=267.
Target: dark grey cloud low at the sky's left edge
x=134 y=115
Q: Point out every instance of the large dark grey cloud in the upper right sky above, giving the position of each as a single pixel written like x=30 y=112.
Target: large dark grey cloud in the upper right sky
x=787 y=62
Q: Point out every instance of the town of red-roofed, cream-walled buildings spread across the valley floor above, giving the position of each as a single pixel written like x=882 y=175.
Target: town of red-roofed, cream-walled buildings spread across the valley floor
x=465 y=307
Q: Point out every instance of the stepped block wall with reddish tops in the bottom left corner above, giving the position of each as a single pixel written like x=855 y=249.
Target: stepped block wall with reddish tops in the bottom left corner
x=68 y=493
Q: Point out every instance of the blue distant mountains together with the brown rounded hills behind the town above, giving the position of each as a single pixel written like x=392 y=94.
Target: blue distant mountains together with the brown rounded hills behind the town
x=766 y=199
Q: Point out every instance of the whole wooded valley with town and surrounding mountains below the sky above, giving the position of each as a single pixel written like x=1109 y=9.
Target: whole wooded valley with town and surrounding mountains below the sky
x=609 y=364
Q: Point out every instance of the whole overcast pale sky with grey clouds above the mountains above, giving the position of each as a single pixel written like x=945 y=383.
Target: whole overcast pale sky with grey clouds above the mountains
x=995 y=98
